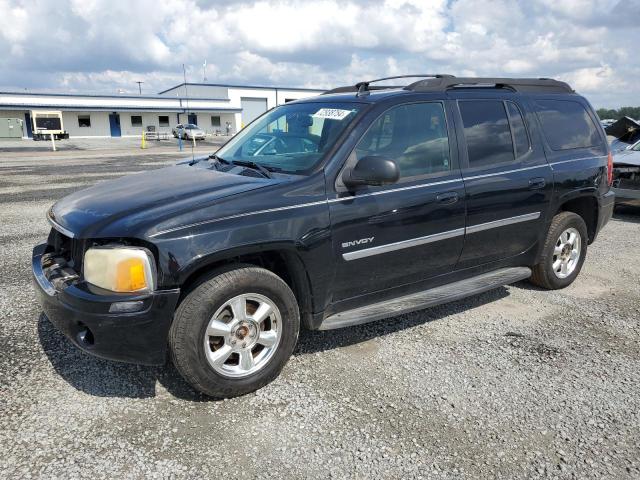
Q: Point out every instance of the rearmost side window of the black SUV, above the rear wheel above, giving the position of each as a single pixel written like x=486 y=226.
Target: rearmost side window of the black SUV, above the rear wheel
x=567 y=124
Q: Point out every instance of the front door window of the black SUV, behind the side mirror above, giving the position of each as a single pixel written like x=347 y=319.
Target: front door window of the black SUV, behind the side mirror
x=414 y=136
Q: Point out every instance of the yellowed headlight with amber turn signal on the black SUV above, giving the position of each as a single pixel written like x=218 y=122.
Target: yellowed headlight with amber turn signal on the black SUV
x=120 y=269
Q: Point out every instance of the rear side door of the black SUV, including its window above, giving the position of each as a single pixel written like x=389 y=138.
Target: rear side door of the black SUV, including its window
x=507 y=179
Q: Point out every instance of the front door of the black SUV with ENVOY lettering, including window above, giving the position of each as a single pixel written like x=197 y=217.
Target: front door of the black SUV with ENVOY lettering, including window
x=408 y=232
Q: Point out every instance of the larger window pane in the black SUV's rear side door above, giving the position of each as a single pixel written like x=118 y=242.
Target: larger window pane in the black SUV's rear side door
x=487 y=132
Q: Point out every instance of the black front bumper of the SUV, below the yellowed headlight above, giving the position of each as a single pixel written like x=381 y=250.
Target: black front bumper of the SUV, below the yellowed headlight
x=83 y=316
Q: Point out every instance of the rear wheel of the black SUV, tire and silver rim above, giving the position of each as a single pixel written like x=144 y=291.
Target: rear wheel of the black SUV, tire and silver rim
x=549 y=272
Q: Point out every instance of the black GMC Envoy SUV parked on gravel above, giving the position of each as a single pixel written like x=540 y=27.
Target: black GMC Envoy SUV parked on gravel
x=356 y=205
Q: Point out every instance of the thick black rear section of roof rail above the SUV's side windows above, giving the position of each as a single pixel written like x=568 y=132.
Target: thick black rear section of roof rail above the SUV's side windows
x=540 y=85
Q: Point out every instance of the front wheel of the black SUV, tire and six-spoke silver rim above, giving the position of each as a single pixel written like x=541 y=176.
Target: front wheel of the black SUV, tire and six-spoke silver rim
x=201 y=357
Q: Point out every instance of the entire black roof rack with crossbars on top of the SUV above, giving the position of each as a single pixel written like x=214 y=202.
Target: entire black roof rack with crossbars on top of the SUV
x=442 y=82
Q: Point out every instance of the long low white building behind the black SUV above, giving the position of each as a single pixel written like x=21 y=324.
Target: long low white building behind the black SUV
x=213 y=107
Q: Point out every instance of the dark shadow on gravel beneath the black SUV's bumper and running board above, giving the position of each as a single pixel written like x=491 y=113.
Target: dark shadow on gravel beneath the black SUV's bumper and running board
x=105 y=378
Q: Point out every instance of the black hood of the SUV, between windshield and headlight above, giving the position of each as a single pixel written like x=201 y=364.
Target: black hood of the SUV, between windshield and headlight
x=150 y=196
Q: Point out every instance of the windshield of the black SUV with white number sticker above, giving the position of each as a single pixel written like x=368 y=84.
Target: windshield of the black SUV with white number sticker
x=291 y=138
